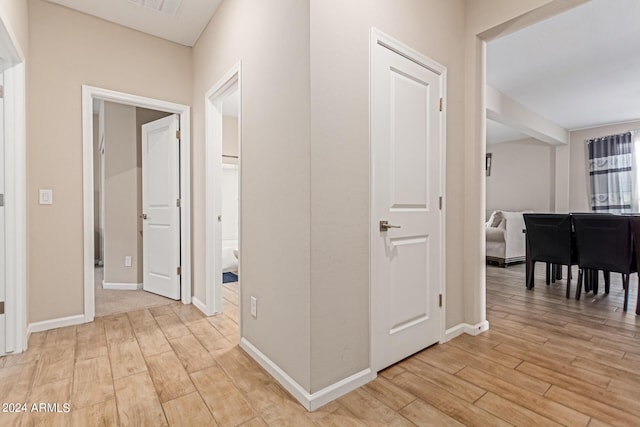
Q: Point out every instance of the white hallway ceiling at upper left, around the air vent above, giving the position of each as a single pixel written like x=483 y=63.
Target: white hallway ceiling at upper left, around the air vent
x=185 y=28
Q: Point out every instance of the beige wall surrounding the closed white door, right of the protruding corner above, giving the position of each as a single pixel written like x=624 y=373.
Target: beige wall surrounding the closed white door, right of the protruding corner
x=340 y=162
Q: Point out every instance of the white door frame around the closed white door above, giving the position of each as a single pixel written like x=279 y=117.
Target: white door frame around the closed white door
x=377 y=37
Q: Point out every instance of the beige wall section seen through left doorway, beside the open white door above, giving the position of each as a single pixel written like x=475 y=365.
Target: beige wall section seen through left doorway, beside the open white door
x=120 y=194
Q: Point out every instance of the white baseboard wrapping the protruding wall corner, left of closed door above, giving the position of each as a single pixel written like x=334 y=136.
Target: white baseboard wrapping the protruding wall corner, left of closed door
x=310 y=401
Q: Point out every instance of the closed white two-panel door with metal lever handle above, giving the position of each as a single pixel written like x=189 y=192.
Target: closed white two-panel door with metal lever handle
x=407 y=258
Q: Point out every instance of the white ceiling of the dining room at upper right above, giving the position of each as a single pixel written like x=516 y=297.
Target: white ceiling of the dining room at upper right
x=579 y=69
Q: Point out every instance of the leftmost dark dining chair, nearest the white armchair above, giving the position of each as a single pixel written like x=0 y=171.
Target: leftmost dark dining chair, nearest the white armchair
x=550 y=240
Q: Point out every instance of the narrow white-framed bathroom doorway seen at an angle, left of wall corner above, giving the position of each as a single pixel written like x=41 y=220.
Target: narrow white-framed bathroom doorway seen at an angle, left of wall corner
x=223 y=224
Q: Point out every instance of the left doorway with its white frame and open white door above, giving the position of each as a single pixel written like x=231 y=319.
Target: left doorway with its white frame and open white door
x=127 y=202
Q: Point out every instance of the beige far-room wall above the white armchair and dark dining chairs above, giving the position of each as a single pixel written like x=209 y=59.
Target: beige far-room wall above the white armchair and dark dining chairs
x=522 y=176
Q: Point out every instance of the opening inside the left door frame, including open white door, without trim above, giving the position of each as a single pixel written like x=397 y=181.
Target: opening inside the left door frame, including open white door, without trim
x=128 y=212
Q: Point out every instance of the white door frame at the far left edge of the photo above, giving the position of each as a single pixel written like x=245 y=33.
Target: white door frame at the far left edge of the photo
x=15 y=190
